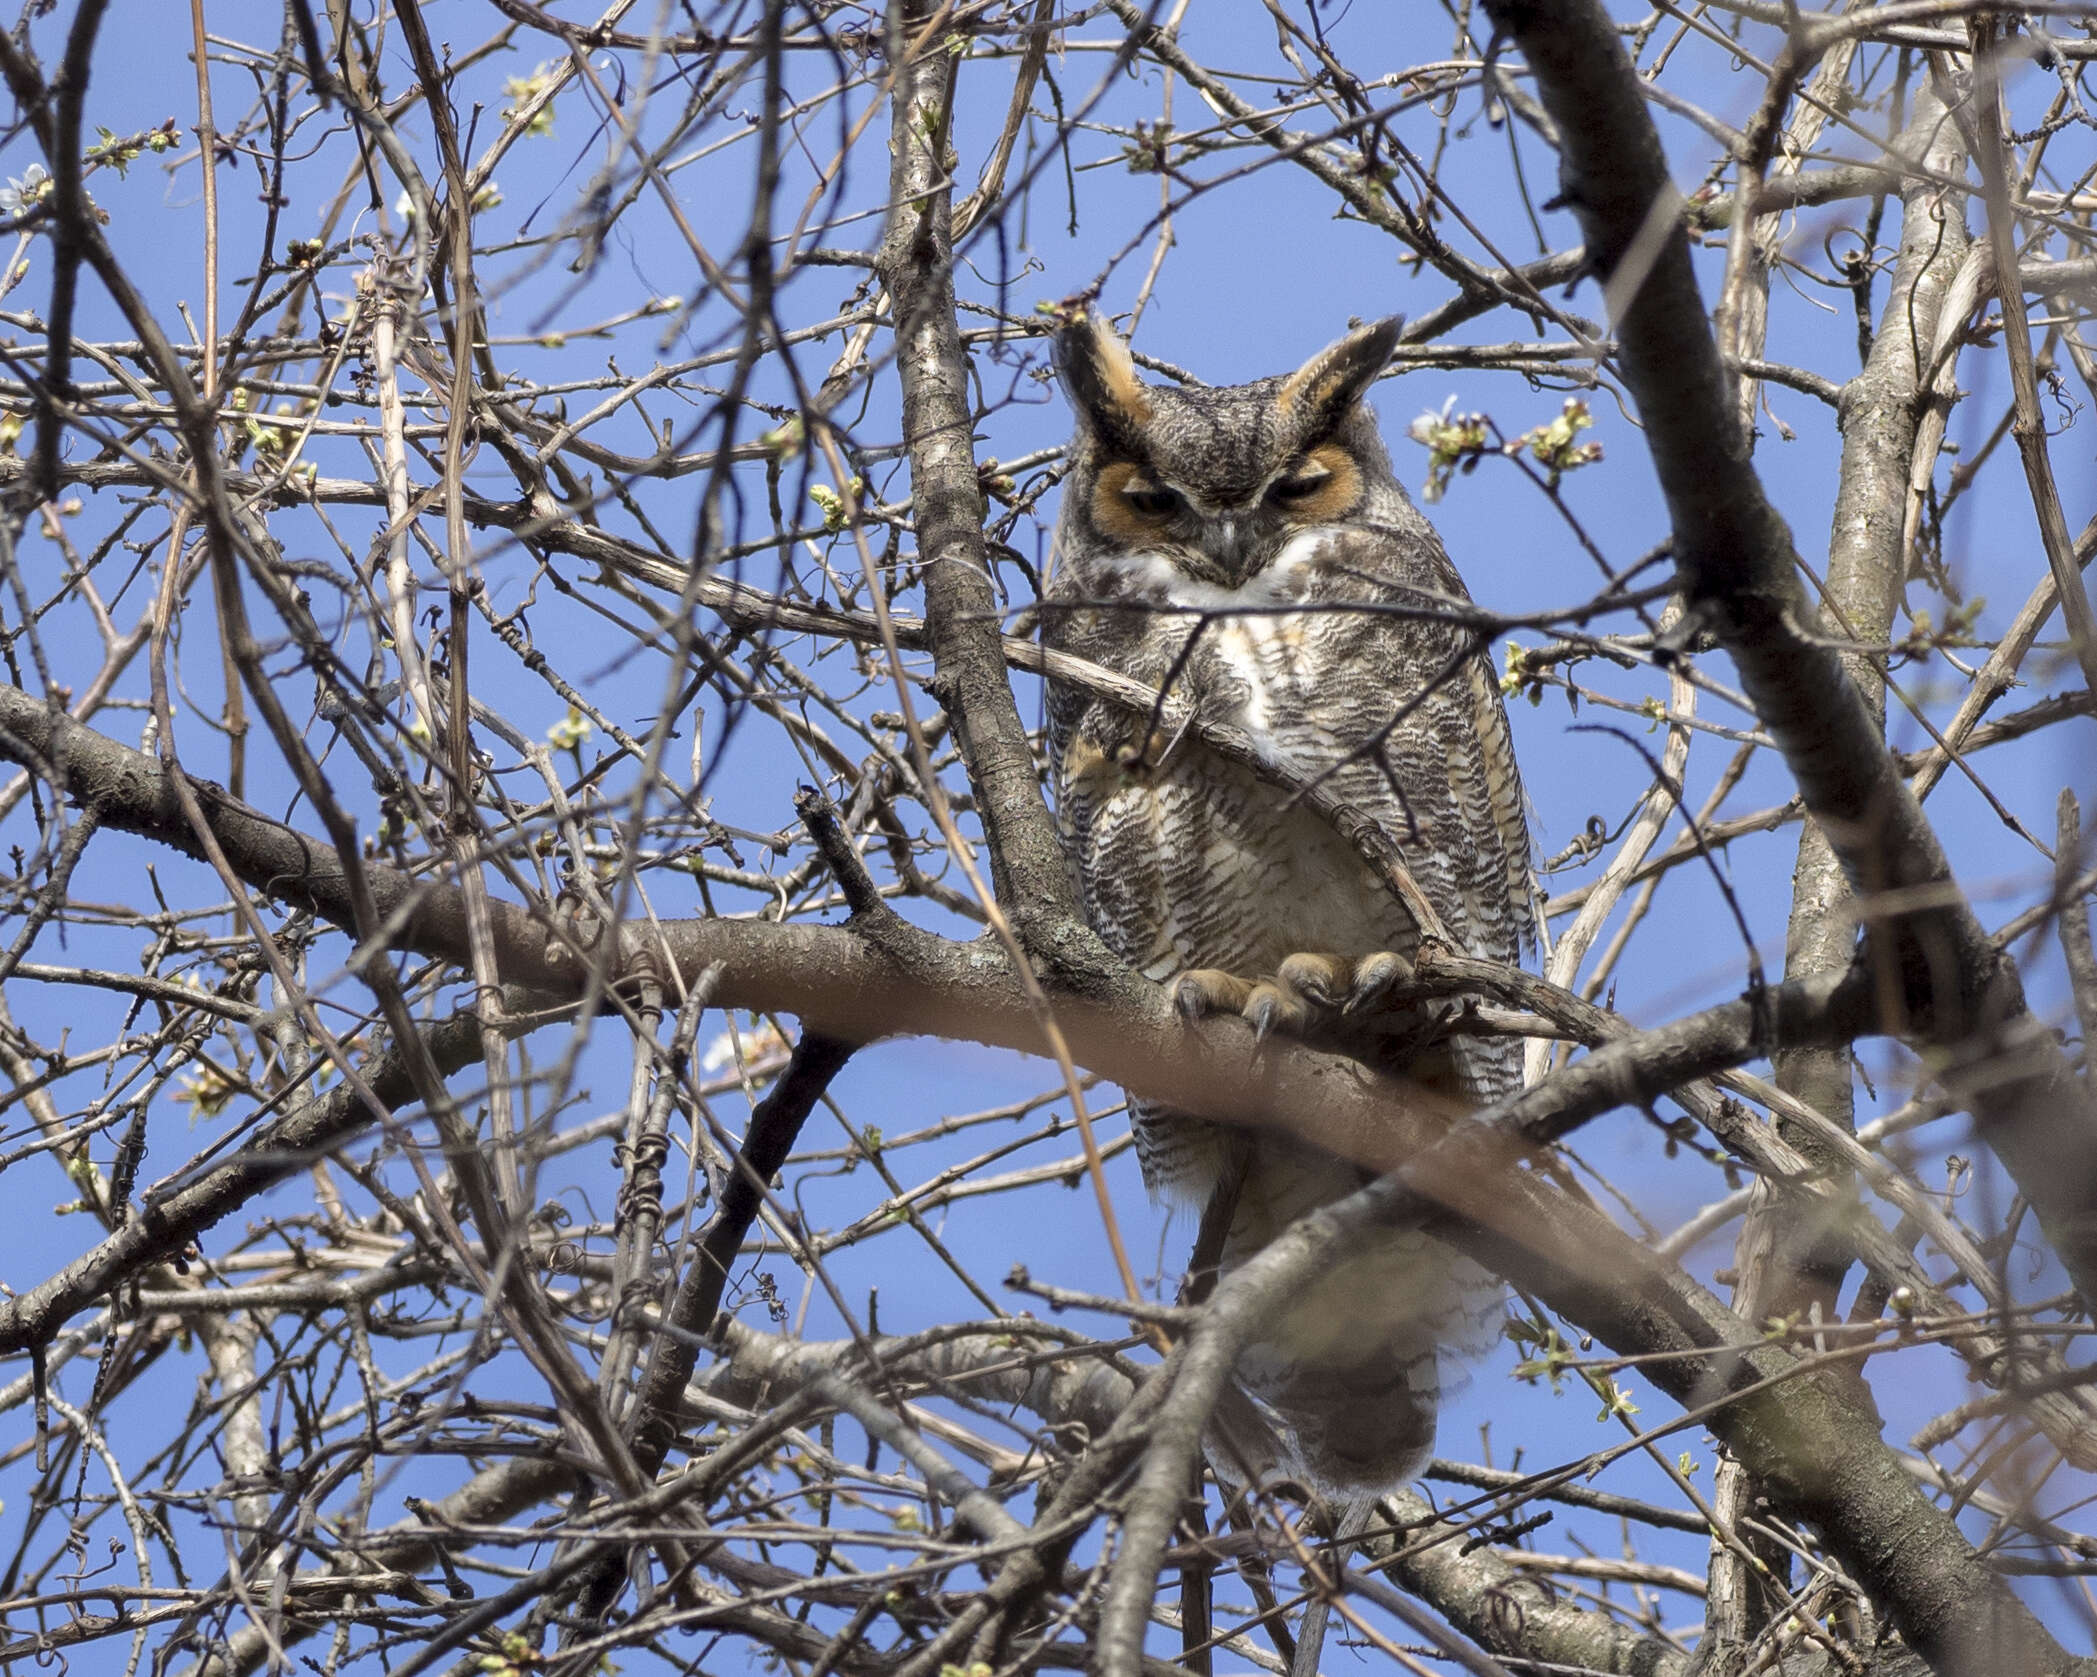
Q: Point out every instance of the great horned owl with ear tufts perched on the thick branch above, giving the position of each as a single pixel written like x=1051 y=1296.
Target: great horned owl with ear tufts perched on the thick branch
x=1253 y=550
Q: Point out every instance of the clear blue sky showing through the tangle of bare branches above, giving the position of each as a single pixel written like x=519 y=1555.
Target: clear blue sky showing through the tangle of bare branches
x=1259 y=278
